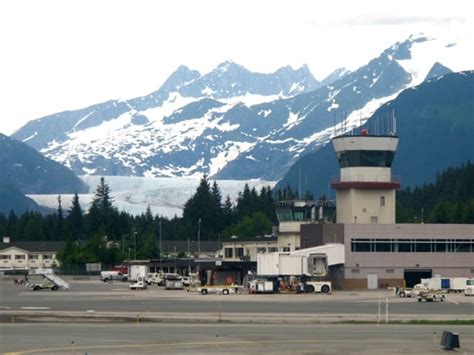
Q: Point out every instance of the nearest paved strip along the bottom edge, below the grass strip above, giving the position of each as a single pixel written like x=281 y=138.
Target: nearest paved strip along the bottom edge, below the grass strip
x=217 y=339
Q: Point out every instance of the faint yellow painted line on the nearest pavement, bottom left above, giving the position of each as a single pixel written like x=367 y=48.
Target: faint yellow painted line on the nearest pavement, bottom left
x=163 y=345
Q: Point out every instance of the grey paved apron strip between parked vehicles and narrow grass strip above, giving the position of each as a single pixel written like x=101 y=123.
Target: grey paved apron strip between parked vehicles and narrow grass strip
x=116 y=297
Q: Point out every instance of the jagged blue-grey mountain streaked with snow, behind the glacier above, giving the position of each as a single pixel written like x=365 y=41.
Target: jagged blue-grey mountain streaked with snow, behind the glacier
x=231 y=123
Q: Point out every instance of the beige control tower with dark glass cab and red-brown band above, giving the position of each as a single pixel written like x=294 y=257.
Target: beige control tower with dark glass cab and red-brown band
x=365 y=191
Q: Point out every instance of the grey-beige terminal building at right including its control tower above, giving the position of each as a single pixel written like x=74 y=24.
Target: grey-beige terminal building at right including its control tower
x=379 y=252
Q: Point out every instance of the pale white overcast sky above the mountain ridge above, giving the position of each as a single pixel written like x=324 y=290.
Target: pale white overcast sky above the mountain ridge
x=61 y=55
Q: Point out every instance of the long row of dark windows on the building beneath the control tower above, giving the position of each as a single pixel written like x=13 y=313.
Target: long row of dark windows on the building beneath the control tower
x=413 y=245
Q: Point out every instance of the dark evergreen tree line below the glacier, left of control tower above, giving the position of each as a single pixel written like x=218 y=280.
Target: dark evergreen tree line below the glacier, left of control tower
x=105 y=234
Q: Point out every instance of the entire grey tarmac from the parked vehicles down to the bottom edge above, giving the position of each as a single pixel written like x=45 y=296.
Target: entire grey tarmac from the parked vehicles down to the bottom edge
x=98 y=318
